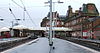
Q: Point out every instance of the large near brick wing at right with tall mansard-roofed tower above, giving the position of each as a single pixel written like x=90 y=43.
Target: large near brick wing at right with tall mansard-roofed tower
x=84 y=21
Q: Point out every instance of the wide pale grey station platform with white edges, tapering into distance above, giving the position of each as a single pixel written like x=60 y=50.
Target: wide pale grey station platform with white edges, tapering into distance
x=41 y=45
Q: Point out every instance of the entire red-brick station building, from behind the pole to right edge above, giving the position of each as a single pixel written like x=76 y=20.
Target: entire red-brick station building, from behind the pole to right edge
x=85 y=22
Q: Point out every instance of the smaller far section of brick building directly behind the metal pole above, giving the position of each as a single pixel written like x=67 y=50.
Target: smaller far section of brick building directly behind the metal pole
x=58 y=20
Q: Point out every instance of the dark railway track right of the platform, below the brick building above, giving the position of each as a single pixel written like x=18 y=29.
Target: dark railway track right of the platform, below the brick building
x=90 y=44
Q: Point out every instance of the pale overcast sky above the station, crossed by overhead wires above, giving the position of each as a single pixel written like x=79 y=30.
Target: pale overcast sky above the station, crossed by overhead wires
x=37 y=10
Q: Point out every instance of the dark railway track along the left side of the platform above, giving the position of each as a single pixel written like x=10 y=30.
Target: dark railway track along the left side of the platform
x=7 y=45
